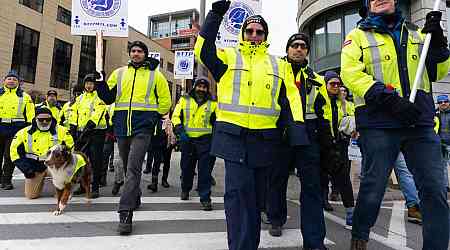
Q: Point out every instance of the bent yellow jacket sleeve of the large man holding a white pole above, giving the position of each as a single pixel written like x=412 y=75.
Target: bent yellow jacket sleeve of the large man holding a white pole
x=352 y=69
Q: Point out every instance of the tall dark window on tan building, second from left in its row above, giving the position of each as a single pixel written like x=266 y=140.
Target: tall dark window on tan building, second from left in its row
x=62 y=59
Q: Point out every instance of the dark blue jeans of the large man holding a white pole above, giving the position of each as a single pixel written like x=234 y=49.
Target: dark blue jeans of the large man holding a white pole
x=422 y=150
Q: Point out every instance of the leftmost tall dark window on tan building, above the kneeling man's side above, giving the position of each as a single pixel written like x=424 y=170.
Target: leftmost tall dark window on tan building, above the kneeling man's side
x=26 y=46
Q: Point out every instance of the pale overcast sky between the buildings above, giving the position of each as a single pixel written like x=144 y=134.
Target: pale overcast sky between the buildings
x=280 y=15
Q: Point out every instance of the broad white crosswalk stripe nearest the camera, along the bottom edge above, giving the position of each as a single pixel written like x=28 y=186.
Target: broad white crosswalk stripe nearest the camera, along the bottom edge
x=173 y=241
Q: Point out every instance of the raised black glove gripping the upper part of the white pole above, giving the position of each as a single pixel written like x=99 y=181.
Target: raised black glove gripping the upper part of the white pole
x=433 y=26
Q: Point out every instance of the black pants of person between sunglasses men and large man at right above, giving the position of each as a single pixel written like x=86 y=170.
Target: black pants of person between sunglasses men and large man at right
x=339 y=171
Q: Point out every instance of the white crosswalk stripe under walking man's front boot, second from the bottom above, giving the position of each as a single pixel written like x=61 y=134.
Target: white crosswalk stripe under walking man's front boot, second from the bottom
x=107 y=216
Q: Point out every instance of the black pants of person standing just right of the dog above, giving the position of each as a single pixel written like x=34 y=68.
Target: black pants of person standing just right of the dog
x=95 y=154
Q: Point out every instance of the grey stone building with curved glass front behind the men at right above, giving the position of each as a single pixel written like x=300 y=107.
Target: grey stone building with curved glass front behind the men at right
x=327 y=22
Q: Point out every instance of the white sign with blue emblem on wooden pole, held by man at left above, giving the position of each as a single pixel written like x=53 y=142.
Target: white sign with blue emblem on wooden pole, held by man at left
x=109 y=16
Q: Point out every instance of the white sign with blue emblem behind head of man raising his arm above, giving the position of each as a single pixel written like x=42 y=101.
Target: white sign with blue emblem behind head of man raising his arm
x=230 y=29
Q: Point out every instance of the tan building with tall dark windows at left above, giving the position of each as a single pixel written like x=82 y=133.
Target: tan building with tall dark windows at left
x=36 y=41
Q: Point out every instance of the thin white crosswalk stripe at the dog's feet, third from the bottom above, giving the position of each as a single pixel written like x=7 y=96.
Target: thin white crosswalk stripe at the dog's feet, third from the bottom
x=101 y=200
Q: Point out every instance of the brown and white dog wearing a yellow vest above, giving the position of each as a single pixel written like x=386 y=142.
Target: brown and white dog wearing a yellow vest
x=61 y=163
